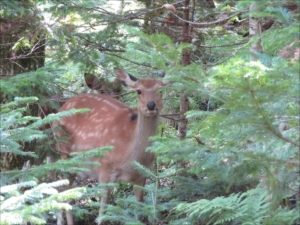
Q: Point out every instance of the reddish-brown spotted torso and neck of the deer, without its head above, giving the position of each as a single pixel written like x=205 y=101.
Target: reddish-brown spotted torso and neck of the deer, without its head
x=110 y=123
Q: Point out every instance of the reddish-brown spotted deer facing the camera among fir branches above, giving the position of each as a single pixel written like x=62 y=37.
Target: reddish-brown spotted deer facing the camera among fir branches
x=112 y=123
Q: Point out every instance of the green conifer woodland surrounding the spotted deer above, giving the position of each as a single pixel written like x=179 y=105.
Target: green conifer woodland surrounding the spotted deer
x=228 y=143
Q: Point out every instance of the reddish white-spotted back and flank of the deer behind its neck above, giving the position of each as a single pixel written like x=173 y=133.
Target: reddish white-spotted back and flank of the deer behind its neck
x=109 y=122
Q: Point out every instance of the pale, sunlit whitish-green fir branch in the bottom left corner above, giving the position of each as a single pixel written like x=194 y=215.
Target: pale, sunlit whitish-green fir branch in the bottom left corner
x=19 y=207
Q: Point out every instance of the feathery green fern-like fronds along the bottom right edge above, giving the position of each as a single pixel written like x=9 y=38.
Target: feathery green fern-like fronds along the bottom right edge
x=250 y=207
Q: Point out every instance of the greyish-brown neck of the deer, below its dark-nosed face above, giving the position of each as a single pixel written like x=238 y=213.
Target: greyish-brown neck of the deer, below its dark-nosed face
x=146 y=127
